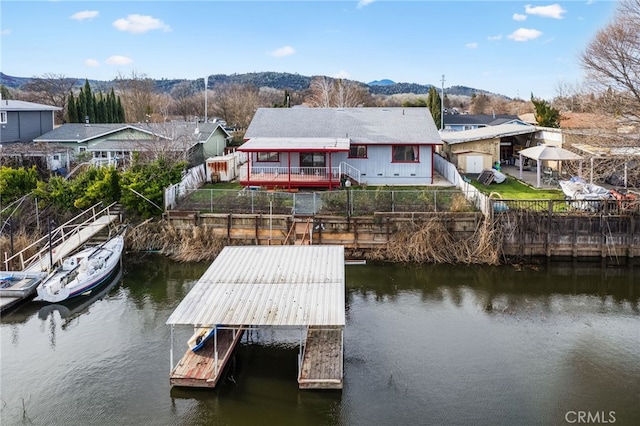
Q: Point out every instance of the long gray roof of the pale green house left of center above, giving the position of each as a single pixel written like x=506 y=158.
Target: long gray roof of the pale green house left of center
x=78 y=132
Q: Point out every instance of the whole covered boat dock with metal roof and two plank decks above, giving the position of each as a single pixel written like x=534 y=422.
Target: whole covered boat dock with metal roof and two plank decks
x=248 y=287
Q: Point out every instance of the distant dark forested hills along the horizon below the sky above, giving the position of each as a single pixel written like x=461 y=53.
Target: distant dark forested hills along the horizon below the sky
x=276 y=80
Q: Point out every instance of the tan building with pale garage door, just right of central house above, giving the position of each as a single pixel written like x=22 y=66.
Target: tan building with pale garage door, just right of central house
x=472 y=151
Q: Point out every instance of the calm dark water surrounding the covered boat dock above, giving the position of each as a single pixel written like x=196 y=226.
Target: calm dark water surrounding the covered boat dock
x=432 y=345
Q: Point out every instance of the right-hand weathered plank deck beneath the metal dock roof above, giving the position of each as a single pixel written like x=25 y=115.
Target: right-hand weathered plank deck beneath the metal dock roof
x=322 y=363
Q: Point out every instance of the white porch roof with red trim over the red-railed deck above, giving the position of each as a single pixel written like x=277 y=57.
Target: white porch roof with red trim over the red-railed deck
x=287 y=144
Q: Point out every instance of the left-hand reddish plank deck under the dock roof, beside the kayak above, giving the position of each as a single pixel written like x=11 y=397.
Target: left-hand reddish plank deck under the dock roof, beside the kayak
x=198 y=369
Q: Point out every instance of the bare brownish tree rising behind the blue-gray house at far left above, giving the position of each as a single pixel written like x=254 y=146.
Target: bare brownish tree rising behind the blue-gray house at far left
x=50 y=89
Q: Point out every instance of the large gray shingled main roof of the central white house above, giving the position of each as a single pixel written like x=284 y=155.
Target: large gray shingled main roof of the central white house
x=360 y=125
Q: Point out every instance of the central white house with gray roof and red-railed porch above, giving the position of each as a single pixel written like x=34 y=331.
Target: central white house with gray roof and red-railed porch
x=327 y=147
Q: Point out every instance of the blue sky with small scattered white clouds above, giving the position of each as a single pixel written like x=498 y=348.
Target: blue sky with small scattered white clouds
x=512 y=48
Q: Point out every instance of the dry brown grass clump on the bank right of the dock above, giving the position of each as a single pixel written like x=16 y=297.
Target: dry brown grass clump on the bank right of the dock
x=431 y=242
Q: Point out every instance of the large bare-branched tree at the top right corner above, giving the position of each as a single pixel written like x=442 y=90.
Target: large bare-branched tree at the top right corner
x=612 y=59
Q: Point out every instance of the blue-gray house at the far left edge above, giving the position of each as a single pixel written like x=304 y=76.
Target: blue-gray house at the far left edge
x=22 y=121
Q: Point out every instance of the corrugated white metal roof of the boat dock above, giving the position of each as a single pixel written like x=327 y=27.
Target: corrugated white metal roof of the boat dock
x=268 y=286
